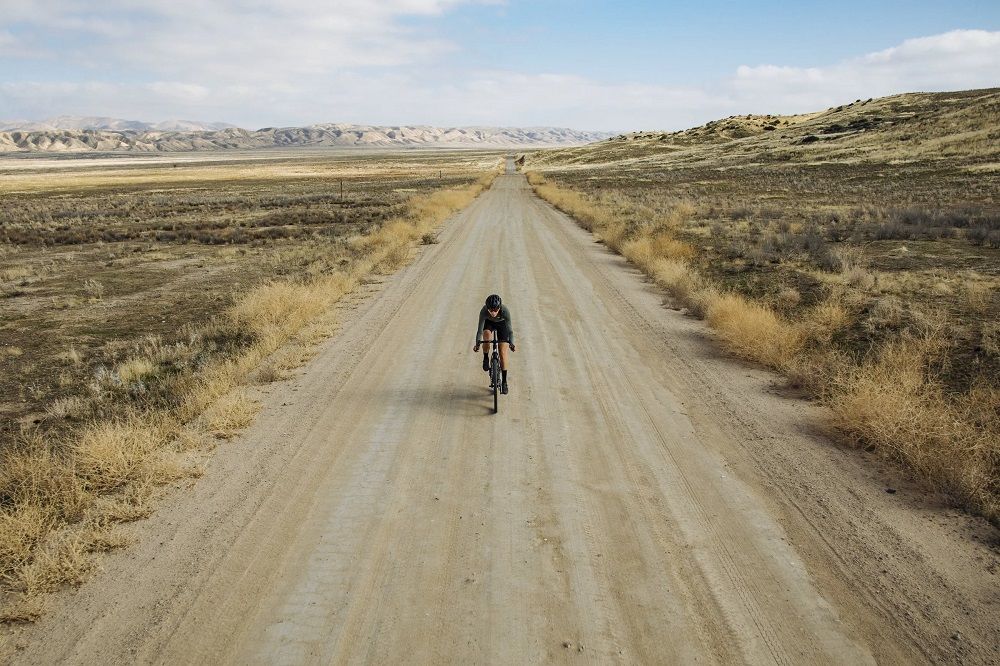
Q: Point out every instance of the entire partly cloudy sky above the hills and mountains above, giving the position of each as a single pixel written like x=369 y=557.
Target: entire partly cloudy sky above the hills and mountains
x=588 y=65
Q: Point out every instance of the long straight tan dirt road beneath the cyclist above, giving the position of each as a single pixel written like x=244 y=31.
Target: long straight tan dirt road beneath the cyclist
x=638 y=499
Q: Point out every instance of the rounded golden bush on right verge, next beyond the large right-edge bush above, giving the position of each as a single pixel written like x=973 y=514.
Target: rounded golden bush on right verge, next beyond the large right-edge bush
x=753 y=331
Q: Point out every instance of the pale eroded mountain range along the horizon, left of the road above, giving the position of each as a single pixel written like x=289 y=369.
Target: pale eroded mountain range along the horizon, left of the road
x=78 y=134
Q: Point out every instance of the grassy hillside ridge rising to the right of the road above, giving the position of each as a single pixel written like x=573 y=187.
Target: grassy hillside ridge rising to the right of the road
x=898 y=127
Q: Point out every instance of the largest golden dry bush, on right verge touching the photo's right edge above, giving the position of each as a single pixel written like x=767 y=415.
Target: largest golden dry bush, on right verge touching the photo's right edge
x=892 y=405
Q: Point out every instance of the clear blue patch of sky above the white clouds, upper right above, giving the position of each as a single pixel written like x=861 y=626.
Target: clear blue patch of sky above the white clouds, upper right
x=656 y=40
